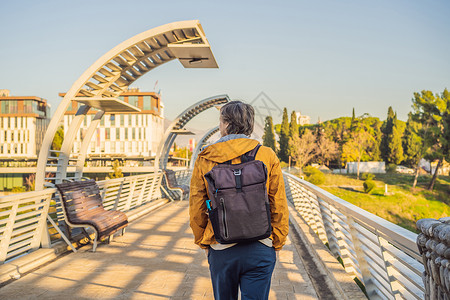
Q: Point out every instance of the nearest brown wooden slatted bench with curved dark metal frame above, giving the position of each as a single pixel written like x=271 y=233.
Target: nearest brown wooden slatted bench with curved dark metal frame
x=83 y=207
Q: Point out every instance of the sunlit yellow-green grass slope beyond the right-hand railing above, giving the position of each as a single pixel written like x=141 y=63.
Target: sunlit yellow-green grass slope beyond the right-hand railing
x=402 y=206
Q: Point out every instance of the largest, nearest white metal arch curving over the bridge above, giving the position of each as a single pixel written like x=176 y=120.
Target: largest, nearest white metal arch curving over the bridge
x=101 y=84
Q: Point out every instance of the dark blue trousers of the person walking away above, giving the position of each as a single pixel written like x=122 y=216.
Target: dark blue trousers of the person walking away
x=248 y=266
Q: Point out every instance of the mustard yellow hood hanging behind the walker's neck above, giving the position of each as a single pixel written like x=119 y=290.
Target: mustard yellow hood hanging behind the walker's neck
x=221 y=152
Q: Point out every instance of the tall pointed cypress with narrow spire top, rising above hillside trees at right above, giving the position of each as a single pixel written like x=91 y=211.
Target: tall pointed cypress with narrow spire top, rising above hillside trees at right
x=391 y=142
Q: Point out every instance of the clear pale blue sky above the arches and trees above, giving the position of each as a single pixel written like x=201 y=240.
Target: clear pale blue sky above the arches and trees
x=320 y=57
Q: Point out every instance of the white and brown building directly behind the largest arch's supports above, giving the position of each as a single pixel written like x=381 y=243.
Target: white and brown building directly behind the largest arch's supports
x=131 y=135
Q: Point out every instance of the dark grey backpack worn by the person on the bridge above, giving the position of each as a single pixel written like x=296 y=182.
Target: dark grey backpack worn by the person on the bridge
x=238 y=204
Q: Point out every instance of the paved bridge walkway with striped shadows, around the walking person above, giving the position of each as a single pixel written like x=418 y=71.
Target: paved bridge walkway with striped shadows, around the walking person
x=155 y=259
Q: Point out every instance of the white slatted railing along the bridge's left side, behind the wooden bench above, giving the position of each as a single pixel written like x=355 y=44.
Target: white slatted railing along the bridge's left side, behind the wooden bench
x=23 y=217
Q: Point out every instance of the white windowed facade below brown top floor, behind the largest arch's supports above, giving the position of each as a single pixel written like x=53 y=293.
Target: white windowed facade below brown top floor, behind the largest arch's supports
x=126 y=135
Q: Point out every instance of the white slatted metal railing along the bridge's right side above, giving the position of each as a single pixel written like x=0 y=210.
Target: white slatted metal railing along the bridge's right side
x=382 y=255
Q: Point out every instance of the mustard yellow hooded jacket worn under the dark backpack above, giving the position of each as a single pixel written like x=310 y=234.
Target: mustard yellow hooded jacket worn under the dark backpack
x=232 y=150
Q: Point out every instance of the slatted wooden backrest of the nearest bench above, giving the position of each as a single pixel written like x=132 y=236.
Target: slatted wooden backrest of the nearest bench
x=80 y=199
